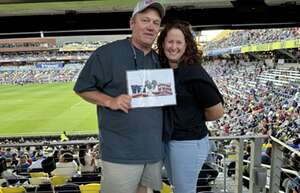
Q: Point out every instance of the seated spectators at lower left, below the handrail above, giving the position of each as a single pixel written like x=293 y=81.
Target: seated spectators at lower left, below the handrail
x=77 y=162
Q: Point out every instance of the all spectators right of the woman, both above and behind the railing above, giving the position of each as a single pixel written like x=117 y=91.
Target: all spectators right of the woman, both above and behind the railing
x=256 y=105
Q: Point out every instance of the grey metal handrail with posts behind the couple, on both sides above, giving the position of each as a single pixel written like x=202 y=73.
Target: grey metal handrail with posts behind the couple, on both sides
x=256 y=142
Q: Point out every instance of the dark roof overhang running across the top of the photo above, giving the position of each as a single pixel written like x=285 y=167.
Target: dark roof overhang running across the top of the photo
x=31 y=18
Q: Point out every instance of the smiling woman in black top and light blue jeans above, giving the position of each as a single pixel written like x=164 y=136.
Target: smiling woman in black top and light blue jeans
x=198 y=101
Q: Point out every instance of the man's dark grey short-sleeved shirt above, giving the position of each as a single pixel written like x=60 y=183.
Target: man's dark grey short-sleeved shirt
x=136 y=137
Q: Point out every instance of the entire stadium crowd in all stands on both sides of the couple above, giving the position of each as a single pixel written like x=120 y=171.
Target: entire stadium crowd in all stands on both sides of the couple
x=259 y=99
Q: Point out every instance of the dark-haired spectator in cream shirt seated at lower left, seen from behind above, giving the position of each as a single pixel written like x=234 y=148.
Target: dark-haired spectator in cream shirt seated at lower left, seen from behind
x=66 y=166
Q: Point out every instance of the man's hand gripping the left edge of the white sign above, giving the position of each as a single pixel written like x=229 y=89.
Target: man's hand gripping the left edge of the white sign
x=121 y=102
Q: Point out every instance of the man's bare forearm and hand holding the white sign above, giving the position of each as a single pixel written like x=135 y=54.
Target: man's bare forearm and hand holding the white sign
x=121 y=102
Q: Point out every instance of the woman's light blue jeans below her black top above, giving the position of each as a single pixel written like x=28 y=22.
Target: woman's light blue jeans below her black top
x=184 y=161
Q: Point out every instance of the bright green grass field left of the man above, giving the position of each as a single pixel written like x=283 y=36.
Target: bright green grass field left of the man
x=44 y=109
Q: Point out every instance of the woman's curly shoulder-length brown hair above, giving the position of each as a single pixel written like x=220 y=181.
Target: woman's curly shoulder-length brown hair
x=191 y=55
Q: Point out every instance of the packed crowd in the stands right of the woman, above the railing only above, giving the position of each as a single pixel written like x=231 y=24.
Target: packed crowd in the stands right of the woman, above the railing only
x=257 y=105
